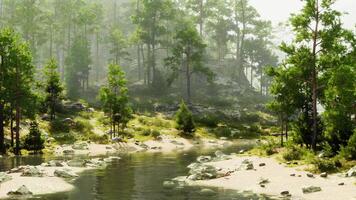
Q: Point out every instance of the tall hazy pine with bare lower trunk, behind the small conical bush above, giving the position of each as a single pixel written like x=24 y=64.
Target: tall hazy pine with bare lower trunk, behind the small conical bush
x=187 y=55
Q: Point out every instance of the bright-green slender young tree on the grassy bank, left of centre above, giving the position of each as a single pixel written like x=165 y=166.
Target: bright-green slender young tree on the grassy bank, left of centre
x=114 y=97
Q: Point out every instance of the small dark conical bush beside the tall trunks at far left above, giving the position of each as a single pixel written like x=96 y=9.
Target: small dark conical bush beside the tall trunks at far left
x=34 y=141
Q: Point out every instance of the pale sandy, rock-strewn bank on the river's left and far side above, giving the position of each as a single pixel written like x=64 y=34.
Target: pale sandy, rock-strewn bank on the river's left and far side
x=57 y=176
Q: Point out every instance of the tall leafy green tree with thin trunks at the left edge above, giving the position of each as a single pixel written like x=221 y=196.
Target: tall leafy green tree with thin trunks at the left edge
x=16 y=79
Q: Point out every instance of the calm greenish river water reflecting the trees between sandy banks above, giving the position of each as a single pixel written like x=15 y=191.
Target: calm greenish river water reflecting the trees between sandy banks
x=138 y=176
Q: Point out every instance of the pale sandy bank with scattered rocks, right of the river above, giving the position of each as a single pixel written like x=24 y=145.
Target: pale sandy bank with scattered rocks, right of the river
x=268 y=176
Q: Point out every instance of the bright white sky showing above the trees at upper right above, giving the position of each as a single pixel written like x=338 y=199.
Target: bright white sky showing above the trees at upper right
x=280 y=10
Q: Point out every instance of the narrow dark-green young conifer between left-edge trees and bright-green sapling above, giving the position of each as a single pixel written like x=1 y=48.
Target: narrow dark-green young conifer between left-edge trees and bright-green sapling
x=53 y=87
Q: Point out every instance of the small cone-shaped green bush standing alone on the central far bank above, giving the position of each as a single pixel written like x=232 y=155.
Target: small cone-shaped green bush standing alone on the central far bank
x=184 y=119
